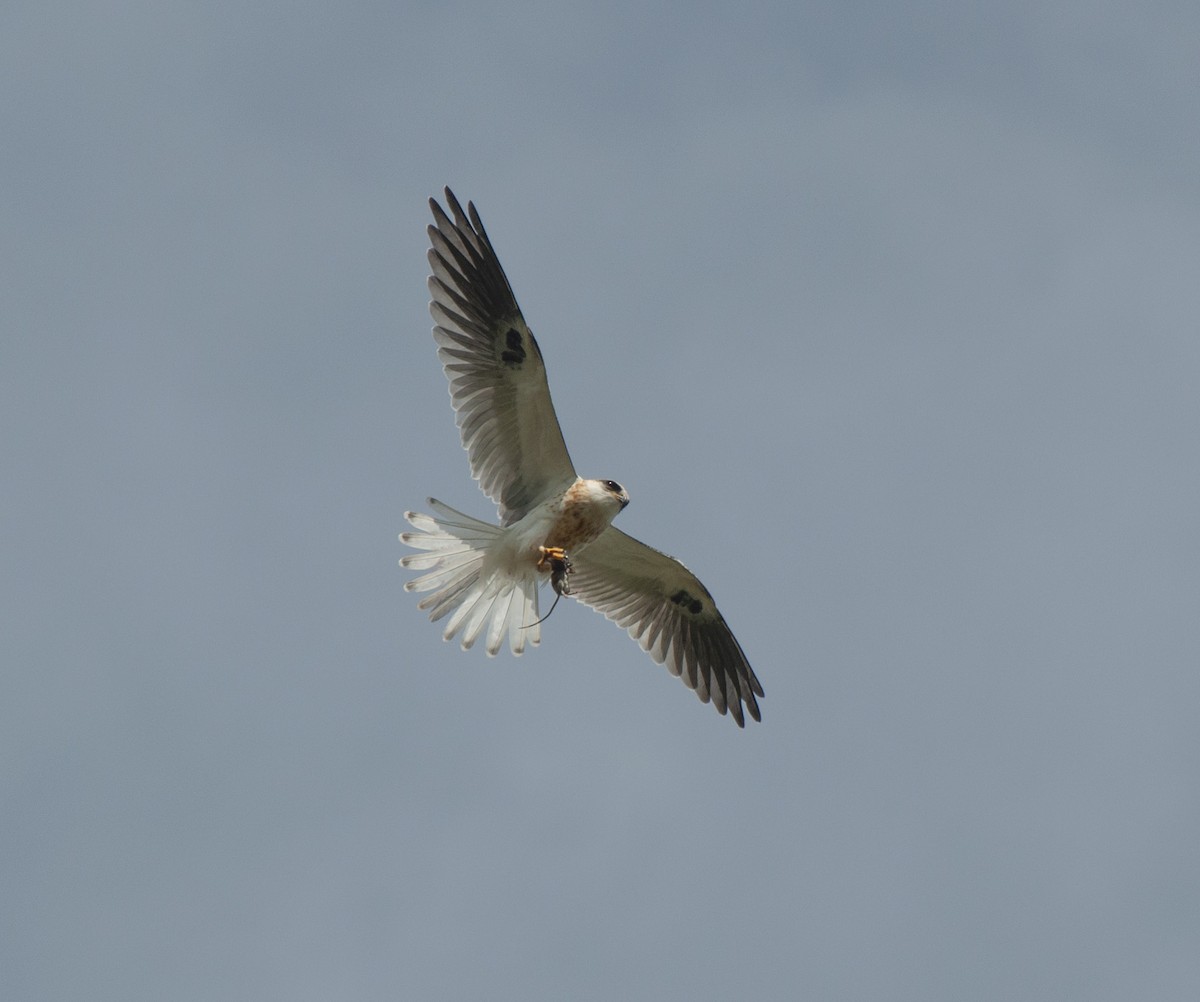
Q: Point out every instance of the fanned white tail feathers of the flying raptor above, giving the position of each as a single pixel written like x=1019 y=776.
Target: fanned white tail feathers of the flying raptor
x=467 y=581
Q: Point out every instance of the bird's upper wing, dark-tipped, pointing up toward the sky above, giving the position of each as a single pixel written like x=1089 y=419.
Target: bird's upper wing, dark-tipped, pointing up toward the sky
x=497 y=379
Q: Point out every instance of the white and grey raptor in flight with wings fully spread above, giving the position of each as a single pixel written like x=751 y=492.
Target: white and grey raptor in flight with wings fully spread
x=554 y=525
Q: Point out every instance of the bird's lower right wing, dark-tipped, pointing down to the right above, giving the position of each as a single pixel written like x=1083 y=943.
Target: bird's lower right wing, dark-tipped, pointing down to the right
x=670 y=614
